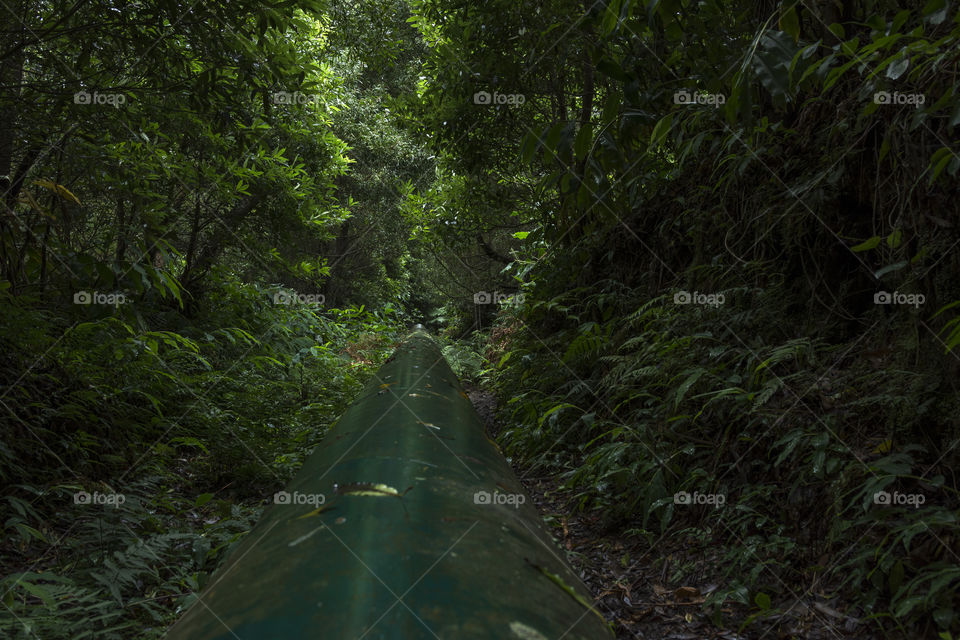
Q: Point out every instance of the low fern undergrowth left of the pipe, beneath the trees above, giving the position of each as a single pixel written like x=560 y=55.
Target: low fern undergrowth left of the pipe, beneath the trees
x=141 y=444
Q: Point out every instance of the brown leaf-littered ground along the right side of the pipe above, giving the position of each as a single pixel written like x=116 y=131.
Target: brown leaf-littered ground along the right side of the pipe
x=633 y=581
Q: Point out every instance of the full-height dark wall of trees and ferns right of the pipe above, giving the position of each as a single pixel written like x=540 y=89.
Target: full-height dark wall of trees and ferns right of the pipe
x=739 y=274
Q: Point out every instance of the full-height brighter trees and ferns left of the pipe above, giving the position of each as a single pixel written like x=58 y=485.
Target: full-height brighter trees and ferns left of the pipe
x=174 y=177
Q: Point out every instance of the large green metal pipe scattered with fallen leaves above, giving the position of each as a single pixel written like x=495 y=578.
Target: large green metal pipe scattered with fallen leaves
x=406 y=522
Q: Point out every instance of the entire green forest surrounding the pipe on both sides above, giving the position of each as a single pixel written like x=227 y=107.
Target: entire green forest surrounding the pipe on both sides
x=696 y=262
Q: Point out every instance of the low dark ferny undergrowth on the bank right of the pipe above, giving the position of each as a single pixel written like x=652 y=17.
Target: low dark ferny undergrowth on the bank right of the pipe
x=820 y=469
